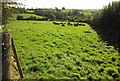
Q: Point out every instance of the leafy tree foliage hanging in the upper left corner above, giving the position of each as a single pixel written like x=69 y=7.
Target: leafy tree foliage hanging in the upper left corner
x=8 y=11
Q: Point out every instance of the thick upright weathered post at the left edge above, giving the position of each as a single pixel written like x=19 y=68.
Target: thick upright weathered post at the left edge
x=6 y=56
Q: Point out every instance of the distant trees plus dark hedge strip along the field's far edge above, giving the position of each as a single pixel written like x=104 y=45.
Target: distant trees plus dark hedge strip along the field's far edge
x=56 y=14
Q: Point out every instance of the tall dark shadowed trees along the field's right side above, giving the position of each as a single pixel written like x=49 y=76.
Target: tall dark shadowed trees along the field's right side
x=107 y=23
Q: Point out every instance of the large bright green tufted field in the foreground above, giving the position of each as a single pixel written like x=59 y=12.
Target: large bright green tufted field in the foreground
x=48 y=51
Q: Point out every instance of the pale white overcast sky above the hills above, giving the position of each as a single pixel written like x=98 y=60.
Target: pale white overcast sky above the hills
x=68 y=4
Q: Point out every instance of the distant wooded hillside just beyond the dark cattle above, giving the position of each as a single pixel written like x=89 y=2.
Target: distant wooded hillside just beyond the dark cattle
x=56 y=14
